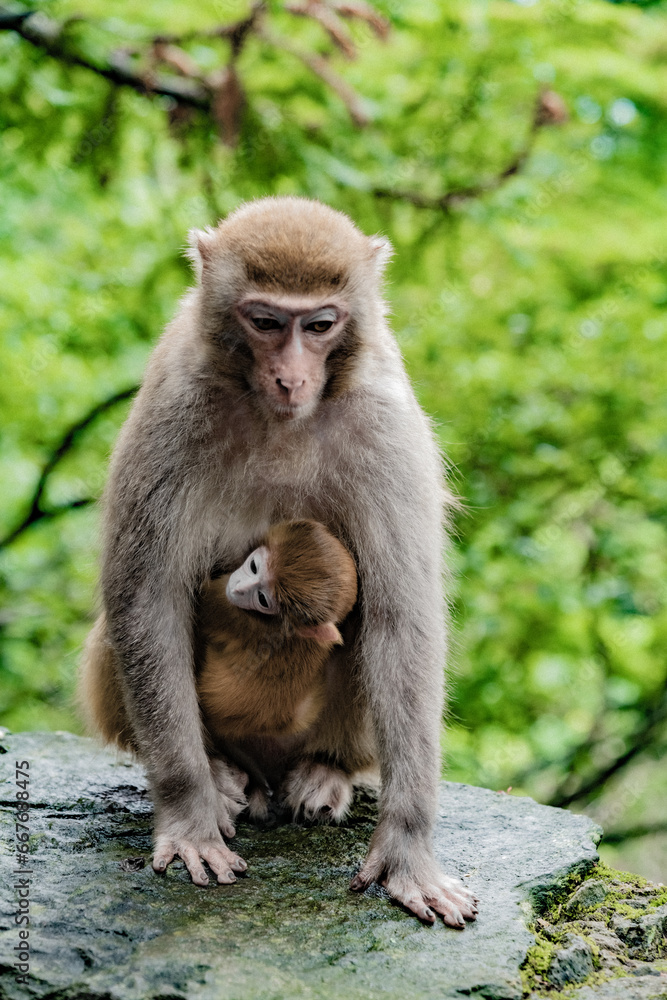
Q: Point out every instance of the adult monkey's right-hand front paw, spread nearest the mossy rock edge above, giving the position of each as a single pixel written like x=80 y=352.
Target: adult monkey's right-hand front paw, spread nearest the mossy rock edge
x=417 y=882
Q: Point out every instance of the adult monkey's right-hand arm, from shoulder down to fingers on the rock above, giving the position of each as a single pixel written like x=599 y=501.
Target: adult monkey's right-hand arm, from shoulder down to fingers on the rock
x=401 y=657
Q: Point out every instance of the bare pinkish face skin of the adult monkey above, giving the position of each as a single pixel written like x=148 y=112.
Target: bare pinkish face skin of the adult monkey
x=291 y=339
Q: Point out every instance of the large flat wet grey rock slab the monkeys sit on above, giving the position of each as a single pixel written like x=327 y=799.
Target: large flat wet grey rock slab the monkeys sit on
x=104 y=926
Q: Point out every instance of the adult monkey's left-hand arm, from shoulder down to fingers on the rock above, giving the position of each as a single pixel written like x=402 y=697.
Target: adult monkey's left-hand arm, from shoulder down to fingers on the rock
x=148 y=581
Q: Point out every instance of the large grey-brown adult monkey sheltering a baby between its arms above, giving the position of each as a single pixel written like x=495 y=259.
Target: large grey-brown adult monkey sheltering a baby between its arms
x=276 y=393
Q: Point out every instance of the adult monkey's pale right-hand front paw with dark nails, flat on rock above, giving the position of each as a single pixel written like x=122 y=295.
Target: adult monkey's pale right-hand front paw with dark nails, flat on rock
x=425 y=895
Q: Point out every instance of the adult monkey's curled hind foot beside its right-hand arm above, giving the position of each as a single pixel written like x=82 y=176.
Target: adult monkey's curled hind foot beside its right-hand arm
x=318 y=792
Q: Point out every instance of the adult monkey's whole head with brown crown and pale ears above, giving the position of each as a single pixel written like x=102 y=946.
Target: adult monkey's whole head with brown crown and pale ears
x=289 y=299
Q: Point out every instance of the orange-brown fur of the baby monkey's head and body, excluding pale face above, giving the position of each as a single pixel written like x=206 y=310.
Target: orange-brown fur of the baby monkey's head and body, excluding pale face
x=263 y=675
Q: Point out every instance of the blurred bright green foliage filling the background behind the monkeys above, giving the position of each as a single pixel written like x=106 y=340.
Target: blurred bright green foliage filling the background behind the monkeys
x=532 y=319
